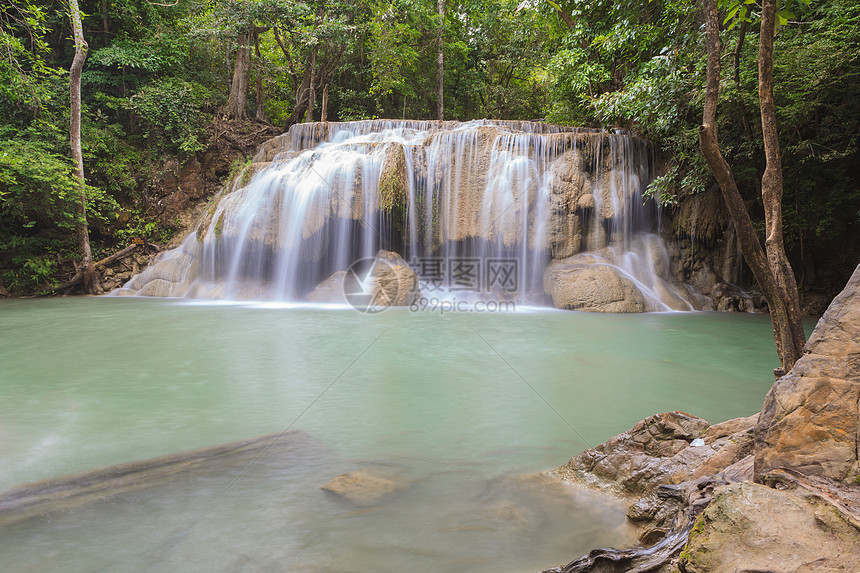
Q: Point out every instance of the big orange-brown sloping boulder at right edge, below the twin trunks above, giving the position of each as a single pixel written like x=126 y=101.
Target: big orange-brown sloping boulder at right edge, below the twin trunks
x=811 y=417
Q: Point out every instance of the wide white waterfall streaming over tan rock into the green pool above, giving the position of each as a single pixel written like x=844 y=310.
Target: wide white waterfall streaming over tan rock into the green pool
x=512 y=210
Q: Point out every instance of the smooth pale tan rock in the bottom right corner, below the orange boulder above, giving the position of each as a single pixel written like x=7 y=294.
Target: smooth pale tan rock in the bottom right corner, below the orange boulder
x=750 y=527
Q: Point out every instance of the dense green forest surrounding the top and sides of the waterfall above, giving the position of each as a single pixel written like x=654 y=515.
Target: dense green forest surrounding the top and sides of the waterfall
x=160 y=75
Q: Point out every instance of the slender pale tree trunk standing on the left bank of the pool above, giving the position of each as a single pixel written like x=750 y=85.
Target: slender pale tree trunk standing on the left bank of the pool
x=90 y=278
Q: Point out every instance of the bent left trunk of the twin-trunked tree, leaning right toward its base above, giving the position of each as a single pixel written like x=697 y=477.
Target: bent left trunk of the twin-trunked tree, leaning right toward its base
x=781 y=312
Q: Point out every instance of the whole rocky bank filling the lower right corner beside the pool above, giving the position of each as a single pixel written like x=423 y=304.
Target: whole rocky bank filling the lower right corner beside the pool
x=776 y=491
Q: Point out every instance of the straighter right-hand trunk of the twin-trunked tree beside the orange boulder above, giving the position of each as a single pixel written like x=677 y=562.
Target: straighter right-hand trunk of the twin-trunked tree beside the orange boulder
x=771 y=191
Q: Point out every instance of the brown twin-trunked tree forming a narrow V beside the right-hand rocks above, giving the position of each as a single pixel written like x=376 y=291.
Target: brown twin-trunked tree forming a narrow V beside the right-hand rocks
x=771 y=270
